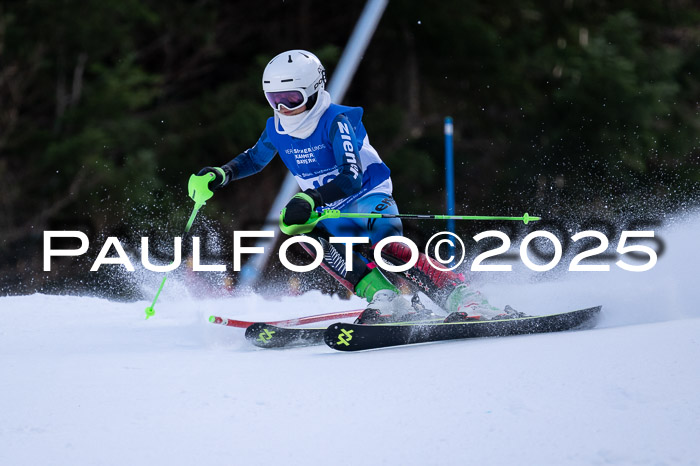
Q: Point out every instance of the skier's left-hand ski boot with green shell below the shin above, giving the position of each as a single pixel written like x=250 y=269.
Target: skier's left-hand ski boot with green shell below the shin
x=386 y=304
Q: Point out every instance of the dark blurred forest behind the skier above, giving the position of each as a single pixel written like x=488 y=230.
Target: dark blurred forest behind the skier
x=581 y=111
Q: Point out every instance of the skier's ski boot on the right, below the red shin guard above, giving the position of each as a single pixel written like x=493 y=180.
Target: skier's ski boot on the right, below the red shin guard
x=465 y=304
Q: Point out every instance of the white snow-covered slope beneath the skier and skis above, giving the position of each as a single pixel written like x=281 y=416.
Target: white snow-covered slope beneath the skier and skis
x=85 y=381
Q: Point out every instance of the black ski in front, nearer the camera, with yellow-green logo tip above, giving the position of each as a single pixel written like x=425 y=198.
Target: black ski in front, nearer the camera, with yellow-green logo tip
x=352 y=337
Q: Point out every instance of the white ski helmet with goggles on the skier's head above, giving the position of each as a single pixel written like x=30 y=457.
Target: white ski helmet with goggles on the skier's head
x=293 y=79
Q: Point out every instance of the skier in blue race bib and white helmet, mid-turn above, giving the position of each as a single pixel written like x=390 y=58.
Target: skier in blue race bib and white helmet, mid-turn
x=325 y=146
